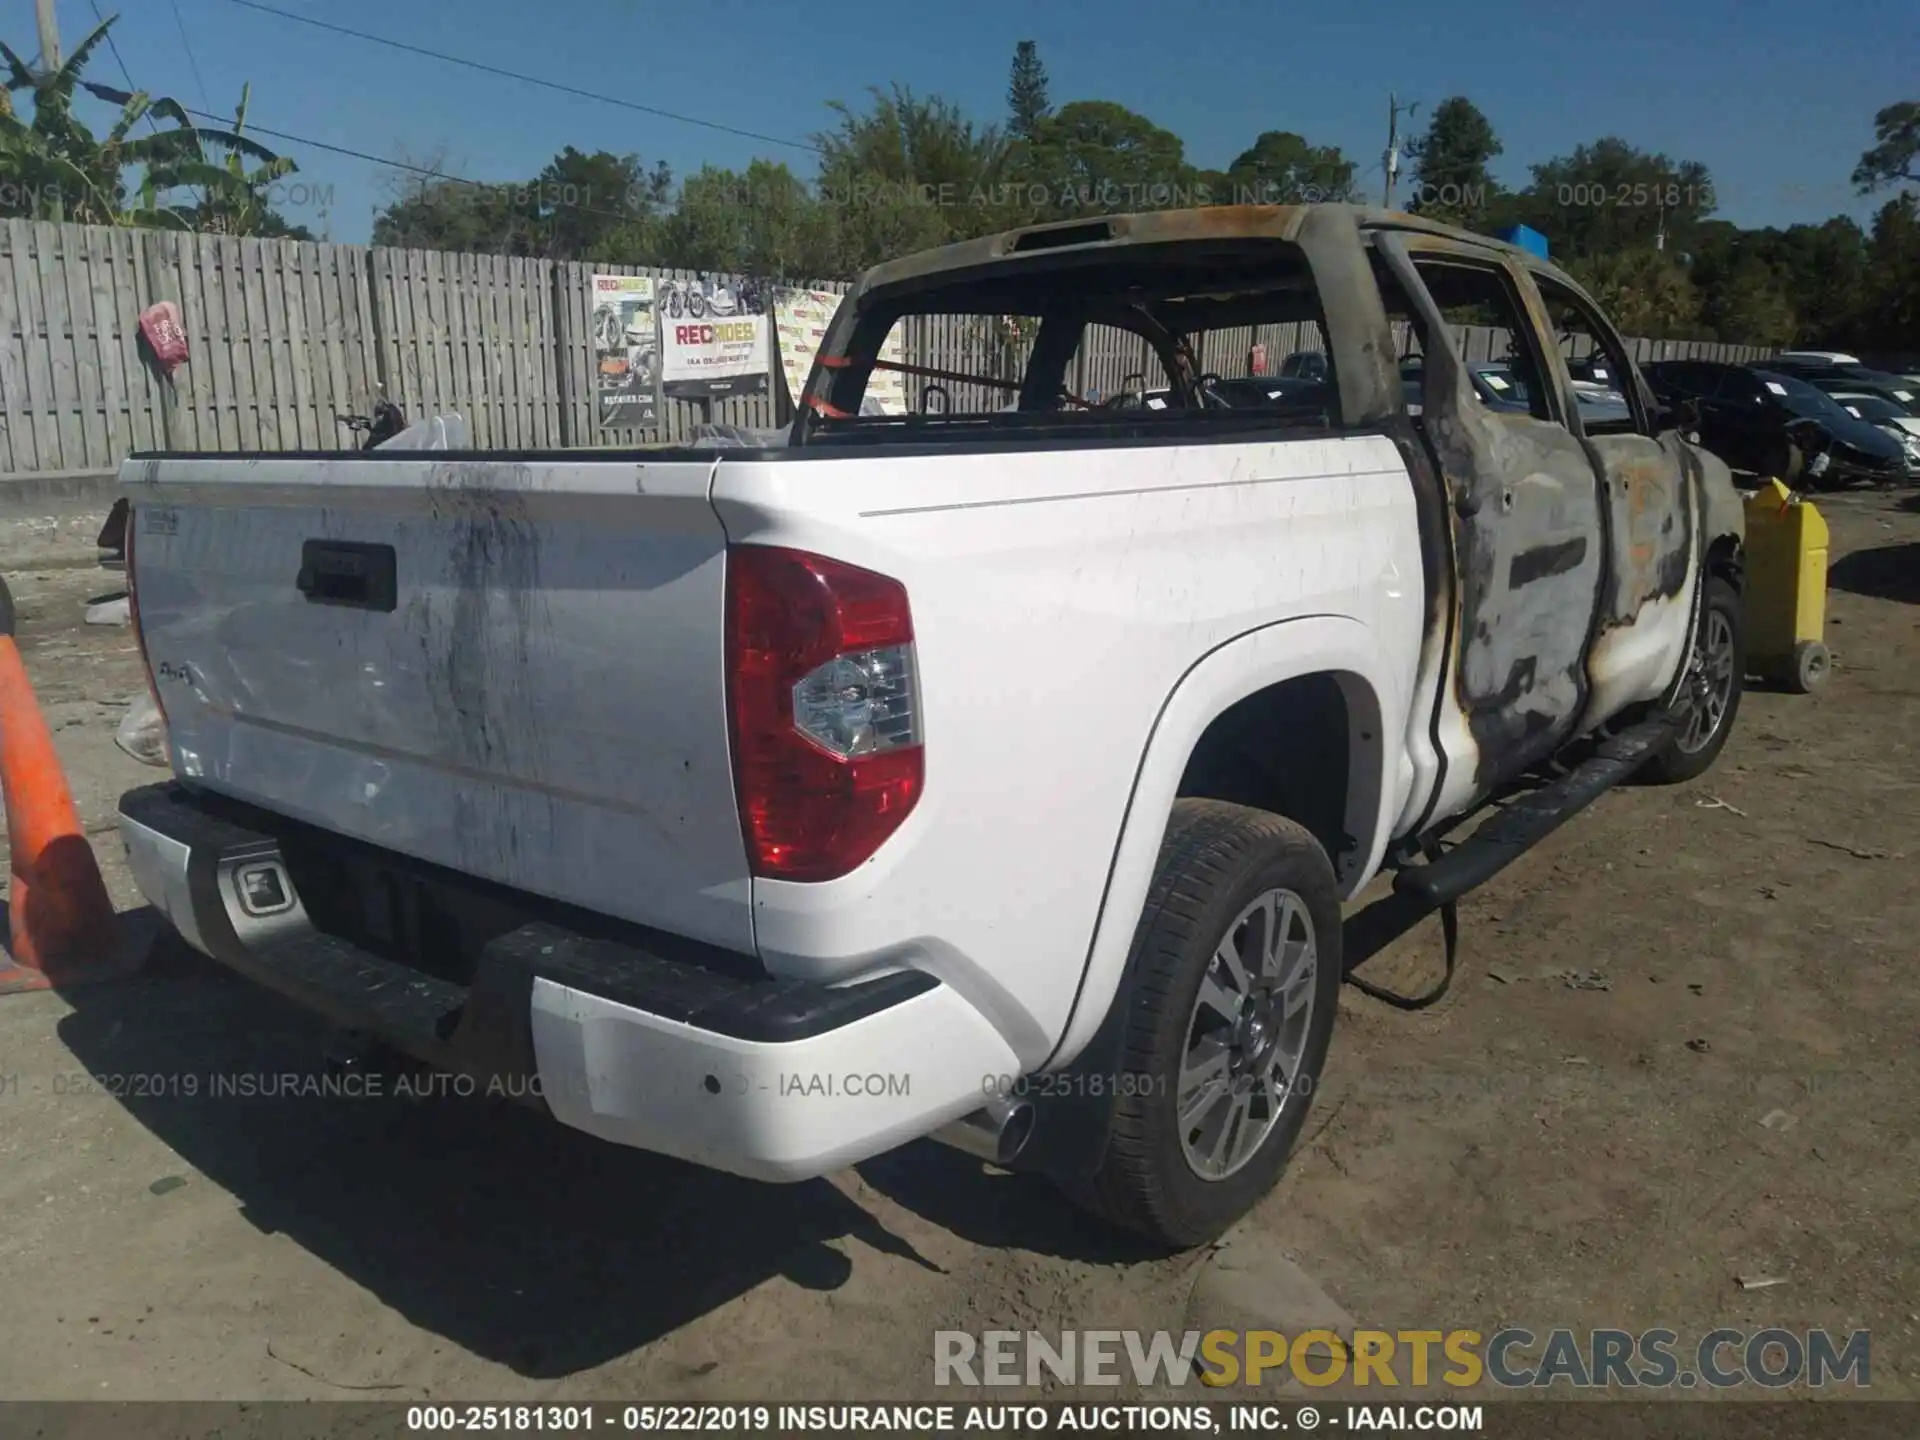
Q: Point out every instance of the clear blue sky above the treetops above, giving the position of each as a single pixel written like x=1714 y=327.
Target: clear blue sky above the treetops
x=1773 y=97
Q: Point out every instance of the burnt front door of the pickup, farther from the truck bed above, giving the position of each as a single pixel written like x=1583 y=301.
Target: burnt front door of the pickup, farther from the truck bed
x=1652 y=494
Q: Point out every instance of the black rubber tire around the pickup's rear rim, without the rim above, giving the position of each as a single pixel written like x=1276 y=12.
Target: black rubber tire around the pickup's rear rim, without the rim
x=1214 y=863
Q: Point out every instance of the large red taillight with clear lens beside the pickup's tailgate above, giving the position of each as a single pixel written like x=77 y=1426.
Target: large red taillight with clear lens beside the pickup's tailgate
x=825 y=709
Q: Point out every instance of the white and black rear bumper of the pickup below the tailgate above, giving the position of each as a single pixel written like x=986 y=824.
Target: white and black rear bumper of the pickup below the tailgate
x=648 y=1047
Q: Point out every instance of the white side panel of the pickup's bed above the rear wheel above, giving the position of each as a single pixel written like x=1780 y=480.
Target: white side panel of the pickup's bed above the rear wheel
x=1061 y=596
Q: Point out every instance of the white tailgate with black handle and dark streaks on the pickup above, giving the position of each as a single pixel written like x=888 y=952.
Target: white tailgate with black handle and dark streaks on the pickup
x=506 y=667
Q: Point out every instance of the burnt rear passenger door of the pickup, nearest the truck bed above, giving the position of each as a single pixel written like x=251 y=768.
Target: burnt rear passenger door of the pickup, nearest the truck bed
x=1529 y=544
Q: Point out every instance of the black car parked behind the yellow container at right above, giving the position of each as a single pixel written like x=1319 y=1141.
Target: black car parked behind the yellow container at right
x=1750 y=420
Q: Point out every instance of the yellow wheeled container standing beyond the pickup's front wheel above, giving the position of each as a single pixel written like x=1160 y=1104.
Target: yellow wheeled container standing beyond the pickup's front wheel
x=1787 y=588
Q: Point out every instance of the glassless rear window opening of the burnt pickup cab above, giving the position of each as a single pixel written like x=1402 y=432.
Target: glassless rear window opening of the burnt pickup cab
x=1212 y=337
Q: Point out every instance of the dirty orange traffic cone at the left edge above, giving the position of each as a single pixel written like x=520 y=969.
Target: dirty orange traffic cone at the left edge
x=59 y=909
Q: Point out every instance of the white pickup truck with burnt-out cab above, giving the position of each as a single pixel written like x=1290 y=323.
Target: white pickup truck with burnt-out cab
x=994 y=775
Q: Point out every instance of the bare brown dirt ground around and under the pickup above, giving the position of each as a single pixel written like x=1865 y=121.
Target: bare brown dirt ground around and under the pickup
x=1573 y=1138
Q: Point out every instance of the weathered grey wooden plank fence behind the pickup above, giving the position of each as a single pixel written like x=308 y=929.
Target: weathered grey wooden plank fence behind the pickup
x=285 y=337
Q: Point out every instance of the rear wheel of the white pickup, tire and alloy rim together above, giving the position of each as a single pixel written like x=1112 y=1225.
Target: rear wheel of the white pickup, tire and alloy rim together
x=1236 y=984
